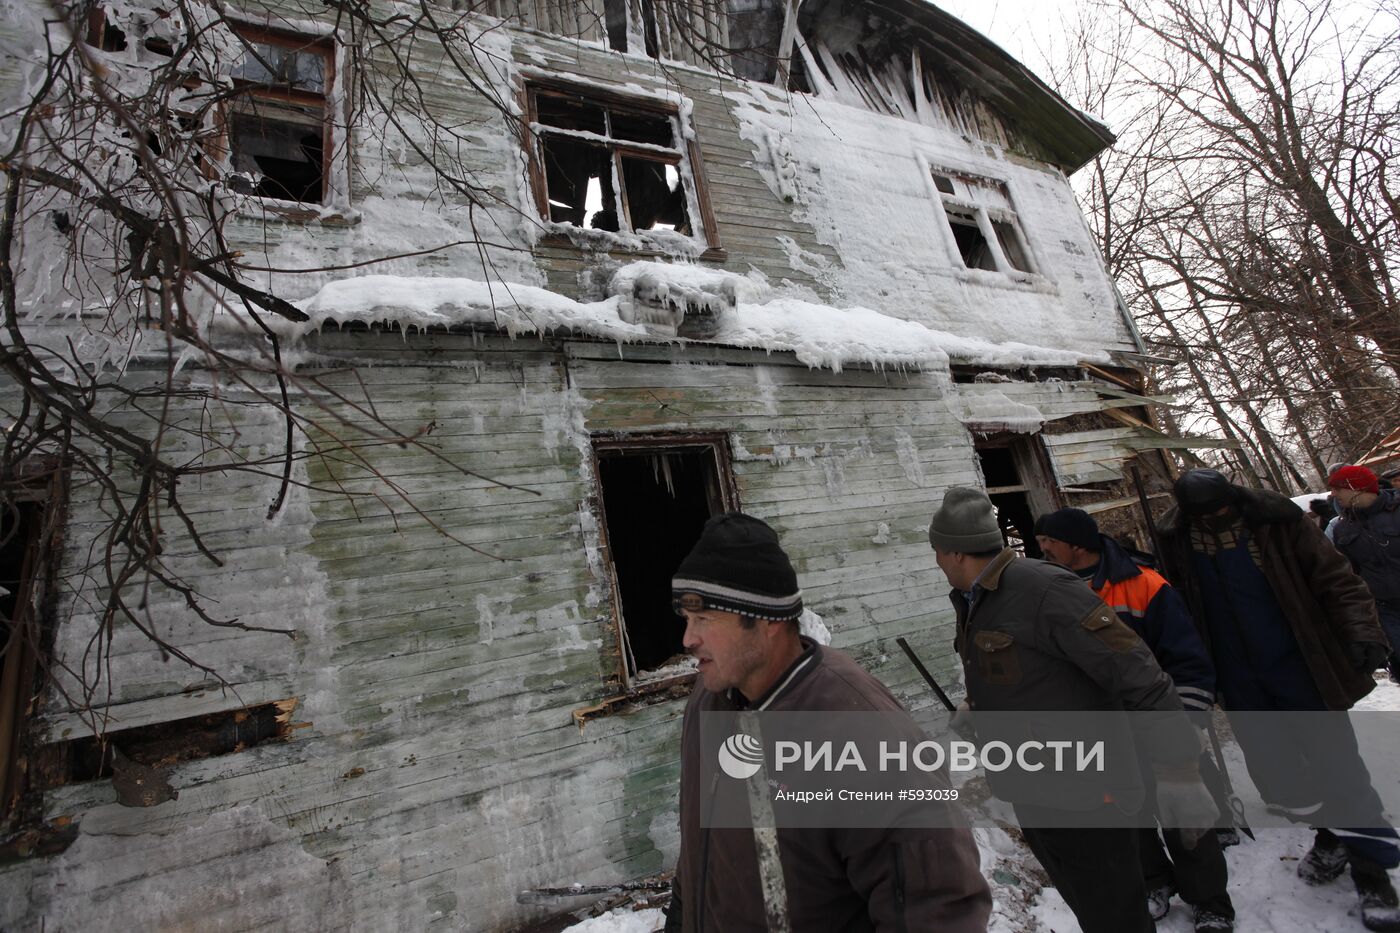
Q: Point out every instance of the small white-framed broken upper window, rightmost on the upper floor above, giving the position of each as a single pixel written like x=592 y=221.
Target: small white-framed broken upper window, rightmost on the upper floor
x=983 y=225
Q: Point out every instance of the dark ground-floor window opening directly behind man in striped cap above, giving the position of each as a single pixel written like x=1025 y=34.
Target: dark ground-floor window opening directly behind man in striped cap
x=657 y=494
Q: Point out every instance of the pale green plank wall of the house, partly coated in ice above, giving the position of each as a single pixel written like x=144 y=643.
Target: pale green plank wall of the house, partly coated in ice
x=436 y=768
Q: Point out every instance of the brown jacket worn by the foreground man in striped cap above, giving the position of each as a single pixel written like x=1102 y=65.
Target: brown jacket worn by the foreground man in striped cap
x=838 y=880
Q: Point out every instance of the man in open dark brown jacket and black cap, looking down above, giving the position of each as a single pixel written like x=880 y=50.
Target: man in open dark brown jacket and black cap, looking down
x=1290 y=628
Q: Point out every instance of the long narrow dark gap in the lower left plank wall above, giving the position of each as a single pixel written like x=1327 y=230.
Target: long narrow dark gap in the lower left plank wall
x=166 y=745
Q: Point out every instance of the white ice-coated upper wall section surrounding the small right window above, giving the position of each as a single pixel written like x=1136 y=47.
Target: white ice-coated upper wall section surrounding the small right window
x=864 y=186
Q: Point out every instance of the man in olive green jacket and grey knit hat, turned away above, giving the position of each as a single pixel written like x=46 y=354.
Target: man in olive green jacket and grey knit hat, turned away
x=1034 y=638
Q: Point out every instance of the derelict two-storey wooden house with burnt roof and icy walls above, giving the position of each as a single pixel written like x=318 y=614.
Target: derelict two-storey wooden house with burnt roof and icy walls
x=817 y=261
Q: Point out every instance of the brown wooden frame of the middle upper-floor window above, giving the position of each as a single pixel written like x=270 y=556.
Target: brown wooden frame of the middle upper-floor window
x=688 y=153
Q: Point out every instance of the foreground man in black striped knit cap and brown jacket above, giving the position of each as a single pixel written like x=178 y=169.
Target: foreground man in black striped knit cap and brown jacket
x=741 y=603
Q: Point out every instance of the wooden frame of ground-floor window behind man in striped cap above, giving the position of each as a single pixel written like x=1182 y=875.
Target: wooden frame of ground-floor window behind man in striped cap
x=724 y=498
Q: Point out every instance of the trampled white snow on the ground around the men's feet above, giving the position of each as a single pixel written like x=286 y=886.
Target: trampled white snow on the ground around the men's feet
x=1268 y=894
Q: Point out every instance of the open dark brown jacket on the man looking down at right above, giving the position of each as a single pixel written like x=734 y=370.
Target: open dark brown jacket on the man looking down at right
x=1326 y=603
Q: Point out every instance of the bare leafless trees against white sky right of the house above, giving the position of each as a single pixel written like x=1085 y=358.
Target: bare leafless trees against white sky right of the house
x=1249 y=211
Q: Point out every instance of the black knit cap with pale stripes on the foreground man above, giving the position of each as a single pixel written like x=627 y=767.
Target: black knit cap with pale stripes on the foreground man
x=738 y=567
